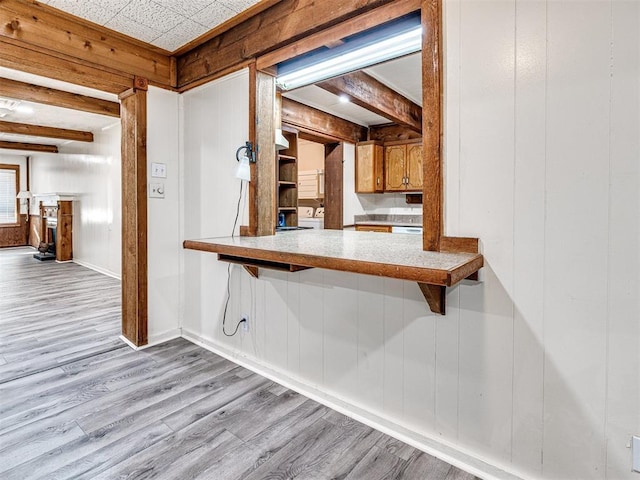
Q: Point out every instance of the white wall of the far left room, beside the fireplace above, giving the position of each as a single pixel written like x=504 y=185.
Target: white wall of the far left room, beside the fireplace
x=90 y=171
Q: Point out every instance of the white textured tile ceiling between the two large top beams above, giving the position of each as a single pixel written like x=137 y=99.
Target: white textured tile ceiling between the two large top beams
x=168 y=24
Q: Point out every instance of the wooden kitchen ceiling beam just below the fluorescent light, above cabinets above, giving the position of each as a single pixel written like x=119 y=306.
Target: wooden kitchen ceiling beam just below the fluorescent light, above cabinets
x=373 y=95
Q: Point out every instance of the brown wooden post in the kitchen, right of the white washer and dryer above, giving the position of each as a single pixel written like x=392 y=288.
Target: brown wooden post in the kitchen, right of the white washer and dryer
x=333 y=183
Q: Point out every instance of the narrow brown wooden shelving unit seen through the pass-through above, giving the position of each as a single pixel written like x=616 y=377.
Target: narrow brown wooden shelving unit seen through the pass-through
x=287 y=177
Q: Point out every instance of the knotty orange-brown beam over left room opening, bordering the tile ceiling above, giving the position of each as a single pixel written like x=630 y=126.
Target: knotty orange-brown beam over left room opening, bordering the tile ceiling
x=45 y=29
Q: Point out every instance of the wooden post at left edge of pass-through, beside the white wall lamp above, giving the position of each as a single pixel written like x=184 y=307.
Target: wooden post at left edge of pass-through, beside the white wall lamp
x=265 y=193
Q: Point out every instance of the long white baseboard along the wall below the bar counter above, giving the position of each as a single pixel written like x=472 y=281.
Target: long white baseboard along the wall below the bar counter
x=435 y=447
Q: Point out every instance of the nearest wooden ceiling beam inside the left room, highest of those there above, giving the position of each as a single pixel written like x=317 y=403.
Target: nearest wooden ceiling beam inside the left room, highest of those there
x=57 y=98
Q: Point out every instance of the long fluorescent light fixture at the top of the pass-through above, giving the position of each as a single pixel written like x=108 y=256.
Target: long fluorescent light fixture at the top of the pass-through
x=392 y=41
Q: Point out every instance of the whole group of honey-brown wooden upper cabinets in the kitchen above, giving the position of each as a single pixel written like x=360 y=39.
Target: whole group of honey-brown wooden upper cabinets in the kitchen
x=389 y=167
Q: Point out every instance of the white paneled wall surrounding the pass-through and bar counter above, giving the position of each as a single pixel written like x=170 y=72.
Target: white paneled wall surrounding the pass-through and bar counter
x=534 y=369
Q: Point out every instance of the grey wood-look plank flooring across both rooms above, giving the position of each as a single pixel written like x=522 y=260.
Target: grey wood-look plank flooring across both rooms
x=76 y=403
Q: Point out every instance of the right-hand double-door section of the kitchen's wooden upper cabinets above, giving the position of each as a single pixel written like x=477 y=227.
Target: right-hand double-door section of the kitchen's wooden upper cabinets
x=403 y=166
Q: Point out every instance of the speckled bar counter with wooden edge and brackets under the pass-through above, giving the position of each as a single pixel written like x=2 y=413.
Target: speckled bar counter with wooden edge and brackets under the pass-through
x=382 y=254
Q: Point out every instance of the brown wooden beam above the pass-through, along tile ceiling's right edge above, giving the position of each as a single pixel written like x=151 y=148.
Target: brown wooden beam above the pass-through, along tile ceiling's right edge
x=284 y=23
